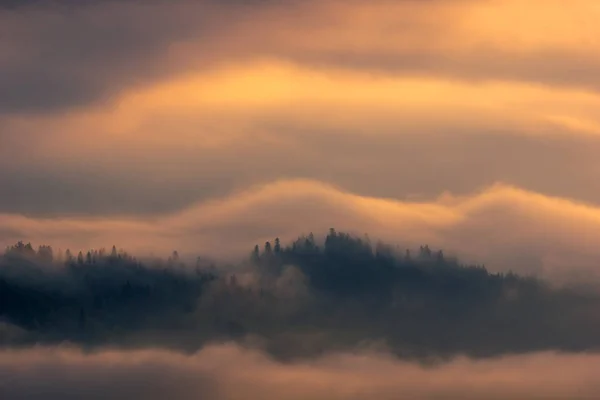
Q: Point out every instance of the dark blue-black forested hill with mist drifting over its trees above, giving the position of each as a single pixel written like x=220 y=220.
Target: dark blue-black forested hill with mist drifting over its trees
x=295 y=301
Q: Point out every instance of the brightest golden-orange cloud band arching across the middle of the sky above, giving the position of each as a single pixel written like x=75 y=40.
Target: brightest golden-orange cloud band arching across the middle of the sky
x=214 y=108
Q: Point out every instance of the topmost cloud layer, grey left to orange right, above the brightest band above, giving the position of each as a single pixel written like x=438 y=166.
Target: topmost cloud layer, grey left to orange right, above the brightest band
x=474 y=41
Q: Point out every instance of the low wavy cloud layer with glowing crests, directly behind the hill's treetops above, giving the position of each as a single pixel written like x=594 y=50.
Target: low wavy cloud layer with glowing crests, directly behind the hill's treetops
x=504 y=227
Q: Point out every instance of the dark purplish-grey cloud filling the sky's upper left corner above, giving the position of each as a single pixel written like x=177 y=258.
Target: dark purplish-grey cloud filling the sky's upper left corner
x=56 y=58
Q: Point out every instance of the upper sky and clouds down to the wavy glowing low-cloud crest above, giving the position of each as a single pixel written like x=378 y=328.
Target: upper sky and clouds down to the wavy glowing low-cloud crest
x=127 y=108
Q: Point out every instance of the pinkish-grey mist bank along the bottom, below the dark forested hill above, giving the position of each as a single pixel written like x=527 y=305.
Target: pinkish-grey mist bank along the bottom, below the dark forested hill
x=230 y=372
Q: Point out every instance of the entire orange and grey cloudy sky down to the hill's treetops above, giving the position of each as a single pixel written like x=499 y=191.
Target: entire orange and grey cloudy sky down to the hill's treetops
x=209 y=126
